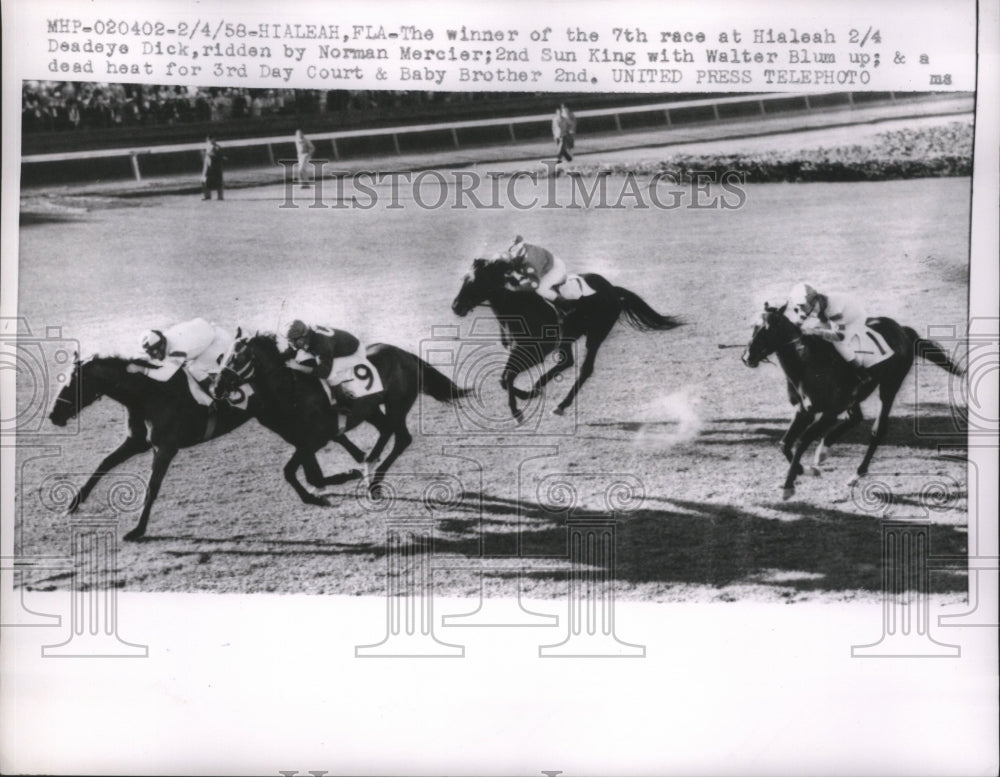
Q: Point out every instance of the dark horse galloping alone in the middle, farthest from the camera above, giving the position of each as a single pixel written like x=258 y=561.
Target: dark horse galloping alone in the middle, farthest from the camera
x=531 y=329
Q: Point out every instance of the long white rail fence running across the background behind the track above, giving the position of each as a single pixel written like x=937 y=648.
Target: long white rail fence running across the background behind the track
x=759 y=105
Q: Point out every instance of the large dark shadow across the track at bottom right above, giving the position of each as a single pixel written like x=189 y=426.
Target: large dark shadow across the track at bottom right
x=680 y=542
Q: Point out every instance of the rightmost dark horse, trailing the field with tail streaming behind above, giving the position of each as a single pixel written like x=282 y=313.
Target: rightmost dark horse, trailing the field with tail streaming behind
x=821 y=383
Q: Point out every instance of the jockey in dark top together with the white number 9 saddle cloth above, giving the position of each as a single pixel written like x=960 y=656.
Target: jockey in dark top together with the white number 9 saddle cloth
x=335 y=356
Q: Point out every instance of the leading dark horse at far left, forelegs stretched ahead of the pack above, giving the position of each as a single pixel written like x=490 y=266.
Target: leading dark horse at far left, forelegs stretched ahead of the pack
x=161 y=416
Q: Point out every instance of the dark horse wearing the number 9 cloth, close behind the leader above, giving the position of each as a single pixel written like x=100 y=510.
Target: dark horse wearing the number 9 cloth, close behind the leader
x=295 y=406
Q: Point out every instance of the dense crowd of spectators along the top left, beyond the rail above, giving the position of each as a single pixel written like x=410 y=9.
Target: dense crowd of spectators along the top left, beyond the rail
x=48 y=106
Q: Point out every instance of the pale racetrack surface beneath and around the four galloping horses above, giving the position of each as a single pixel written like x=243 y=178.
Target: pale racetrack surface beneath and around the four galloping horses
x=670 y=414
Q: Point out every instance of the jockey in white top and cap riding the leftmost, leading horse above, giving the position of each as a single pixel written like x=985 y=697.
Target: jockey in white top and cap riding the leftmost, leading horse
x=195 y=346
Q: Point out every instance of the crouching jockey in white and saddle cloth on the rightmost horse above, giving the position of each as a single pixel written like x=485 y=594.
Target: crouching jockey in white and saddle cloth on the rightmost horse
x=835 y=318
